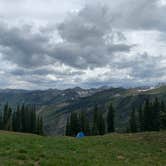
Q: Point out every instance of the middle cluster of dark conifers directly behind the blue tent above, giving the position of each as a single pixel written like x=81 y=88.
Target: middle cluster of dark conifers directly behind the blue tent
x=80 y=122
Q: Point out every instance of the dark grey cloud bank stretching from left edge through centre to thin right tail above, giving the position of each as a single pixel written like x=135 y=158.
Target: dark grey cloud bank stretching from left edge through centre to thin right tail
x=82 y=47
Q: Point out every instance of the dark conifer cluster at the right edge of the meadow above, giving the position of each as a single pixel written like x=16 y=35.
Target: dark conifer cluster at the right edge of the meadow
x=151 y=116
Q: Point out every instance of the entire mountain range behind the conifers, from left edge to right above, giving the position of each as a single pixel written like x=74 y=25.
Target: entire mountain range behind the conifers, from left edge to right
x=56 y=105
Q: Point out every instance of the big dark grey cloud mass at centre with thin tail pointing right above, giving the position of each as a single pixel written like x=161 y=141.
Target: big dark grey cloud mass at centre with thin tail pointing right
x=84 y=35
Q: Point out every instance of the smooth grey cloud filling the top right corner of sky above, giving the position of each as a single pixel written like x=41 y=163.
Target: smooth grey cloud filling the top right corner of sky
x=142 y=14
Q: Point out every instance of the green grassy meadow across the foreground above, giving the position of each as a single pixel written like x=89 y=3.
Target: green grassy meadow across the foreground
x=143 y=149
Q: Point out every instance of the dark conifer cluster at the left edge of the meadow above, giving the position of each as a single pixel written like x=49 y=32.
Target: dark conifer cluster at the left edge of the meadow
x=22 y=119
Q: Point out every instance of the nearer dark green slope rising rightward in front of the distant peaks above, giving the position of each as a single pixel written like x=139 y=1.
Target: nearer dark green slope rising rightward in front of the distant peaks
x=124 y=100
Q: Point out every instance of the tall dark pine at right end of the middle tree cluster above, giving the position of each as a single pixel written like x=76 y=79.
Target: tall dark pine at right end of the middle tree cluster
x=110 y=119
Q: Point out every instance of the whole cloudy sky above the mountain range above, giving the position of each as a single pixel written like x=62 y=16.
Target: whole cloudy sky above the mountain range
x=64 y=44
